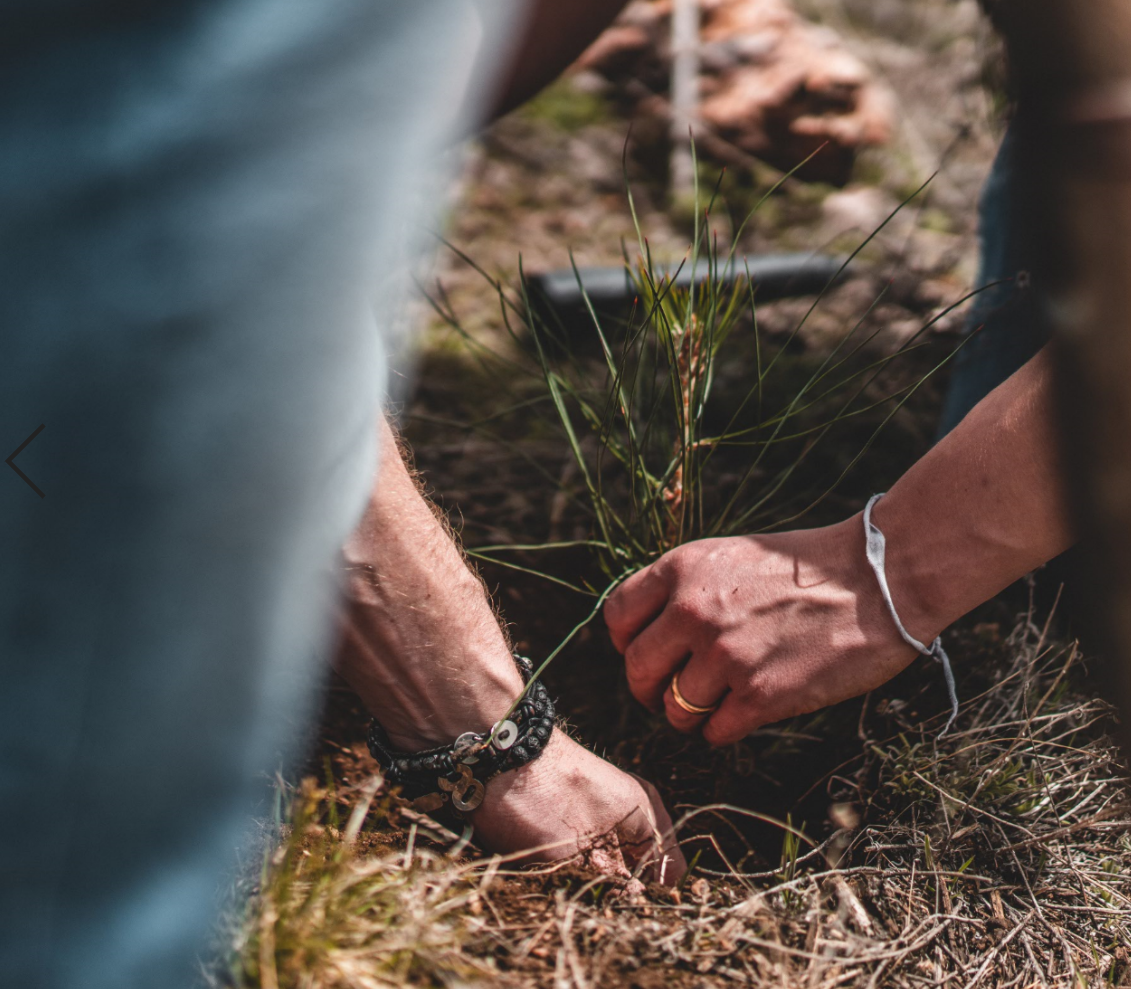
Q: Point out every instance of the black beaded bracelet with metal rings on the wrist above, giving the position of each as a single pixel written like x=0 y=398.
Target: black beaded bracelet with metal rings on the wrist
x=459 y=775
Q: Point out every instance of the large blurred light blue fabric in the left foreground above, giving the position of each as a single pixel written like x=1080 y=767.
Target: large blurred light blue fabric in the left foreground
x=198 y=202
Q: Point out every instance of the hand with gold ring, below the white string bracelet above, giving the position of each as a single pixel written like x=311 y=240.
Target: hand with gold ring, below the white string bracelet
x=767 y=627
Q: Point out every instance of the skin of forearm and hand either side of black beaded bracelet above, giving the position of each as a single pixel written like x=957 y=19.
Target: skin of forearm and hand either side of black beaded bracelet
x=425 y=652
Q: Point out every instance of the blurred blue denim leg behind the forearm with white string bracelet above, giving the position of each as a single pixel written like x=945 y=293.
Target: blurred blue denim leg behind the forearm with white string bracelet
x=1004 y=325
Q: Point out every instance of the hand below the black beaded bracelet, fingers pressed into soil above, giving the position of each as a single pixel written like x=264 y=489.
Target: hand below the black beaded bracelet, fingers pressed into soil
x=571 y=802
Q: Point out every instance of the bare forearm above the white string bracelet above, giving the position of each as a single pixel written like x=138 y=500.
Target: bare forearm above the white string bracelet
x=983 y=509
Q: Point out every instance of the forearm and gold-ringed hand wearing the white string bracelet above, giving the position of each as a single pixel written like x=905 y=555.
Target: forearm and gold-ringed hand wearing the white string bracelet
x=773 y=626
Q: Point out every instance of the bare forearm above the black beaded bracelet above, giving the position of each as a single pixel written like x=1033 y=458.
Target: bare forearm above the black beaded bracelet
x=412 y=597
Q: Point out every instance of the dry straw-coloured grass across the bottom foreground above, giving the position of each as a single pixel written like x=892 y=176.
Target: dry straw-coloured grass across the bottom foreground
x=1000 y=856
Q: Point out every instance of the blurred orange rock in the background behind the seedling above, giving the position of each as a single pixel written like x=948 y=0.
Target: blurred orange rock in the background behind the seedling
x=772 y=85
